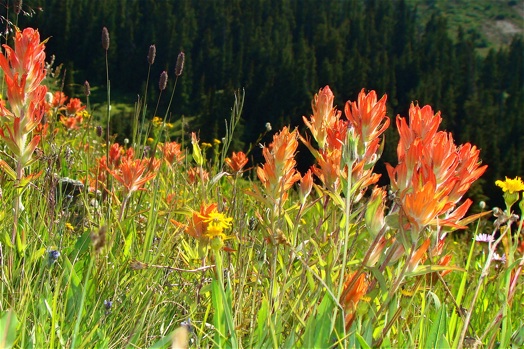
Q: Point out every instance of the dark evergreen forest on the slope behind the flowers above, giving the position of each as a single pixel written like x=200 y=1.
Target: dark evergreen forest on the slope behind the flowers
x=282 y=51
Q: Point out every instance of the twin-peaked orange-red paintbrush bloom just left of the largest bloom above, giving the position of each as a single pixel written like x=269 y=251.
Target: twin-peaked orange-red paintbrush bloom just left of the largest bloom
x=366 y=122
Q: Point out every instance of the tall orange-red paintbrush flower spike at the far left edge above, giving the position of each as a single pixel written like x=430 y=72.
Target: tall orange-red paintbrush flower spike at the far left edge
x=23 y=69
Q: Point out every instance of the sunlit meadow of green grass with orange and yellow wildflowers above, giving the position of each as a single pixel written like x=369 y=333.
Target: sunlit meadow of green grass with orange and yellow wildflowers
x=165 y=241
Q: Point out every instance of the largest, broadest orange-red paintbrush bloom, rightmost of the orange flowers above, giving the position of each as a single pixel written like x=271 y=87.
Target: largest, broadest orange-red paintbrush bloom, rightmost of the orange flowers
x=432 y=173
